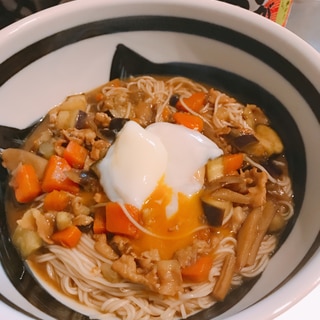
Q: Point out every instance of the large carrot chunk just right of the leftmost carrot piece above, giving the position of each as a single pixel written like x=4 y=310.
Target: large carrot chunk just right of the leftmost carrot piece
x=55 y=178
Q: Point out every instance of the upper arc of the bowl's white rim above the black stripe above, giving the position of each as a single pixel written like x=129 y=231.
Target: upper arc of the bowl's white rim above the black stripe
x=277 y=37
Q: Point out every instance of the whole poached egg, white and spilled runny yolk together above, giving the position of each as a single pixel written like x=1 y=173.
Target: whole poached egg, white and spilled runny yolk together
x=160 y=171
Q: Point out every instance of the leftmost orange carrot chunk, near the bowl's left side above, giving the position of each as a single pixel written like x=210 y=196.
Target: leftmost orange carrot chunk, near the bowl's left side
x=26 y=183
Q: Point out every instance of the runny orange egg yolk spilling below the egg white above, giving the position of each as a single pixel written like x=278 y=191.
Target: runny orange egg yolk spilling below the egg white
x=173 y=232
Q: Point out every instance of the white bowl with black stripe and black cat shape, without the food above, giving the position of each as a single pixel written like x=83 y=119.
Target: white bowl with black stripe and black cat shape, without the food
x=69 y=49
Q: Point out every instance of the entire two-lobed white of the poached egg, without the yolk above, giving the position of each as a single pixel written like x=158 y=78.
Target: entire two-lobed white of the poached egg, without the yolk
x=139 y=158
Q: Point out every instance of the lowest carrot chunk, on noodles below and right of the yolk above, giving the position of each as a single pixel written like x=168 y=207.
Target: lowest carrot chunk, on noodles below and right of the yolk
x=199 y=271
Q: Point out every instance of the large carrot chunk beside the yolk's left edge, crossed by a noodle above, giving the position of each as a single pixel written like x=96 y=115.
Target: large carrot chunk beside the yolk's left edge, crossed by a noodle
x=117 y=221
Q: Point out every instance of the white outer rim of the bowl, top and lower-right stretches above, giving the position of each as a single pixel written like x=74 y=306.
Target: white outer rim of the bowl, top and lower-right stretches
x=305 y=54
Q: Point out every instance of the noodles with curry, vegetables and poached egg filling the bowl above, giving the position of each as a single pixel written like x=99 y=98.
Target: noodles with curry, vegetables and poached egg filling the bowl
x=149 y=196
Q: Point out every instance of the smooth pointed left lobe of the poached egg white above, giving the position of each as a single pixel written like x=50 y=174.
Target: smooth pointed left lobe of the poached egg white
x=133 y=165
